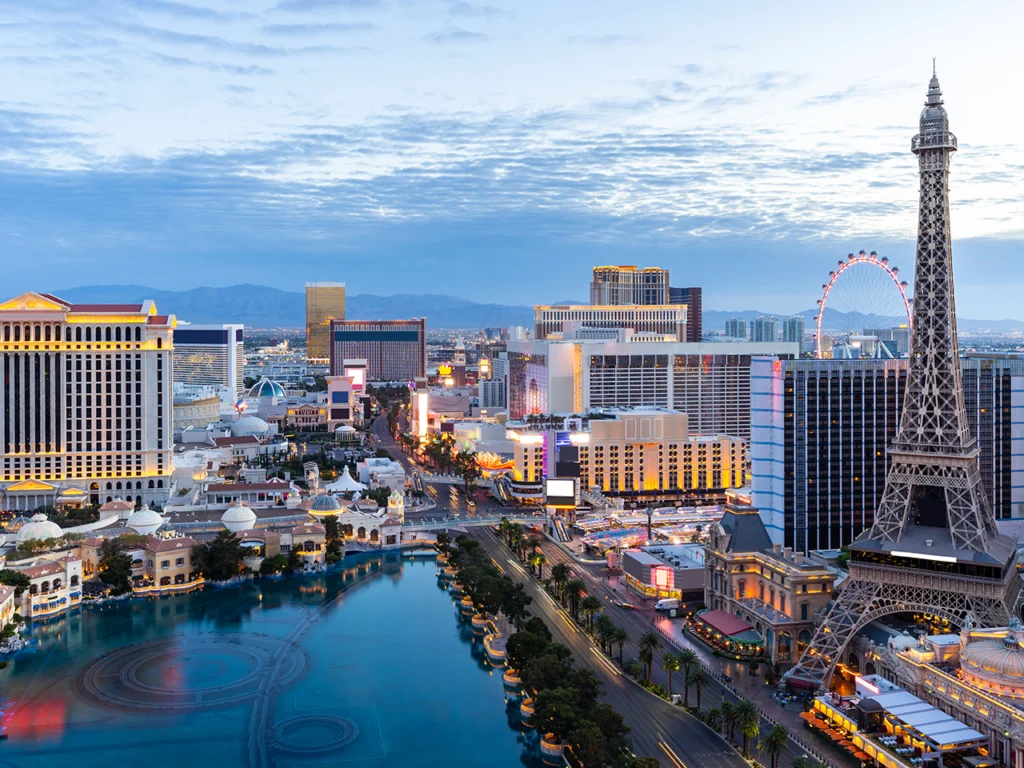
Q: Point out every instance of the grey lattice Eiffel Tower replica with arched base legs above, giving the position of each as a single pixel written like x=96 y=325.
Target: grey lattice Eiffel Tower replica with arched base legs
x=933 y=547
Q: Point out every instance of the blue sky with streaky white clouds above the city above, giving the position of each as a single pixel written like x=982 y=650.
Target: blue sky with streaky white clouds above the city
x=498 y=152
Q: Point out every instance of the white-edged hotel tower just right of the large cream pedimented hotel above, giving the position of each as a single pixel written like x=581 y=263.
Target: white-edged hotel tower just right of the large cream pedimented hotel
x=210 y=356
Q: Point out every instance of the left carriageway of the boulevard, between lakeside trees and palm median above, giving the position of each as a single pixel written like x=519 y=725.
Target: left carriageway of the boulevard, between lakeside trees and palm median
x=659 y=730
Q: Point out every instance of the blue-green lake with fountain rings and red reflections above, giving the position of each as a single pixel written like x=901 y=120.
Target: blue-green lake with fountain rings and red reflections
x=368 y=664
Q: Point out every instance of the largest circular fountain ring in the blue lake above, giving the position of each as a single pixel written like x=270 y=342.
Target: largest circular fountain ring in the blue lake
x=191 y=673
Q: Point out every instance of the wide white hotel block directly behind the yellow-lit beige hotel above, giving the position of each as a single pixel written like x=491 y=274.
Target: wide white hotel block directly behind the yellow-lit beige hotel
x=711 y=383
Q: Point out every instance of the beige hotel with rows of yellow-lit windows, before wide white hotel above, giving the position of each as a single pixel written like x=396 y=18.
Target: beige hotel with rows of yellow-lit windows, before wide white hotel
x=644 y=454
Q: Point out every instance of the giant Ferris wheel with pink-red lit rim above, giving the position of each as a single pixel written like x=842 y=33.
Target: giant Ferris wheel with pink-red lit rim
x=864 y=293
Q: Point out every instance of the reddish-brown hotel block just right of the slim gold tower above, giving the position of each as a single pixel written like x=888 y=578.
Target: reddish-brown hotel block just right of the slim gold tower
x=395 y=351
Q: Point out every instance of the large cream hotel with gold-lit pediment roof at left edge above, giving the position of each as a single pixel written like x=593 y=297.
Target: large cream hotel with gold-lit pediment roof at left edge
x=86 y=403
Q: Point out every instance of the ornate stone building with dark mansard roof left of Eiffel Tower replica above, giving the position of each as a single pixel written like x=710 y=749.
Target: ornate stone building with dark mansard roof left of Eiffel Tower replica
x=777 y=590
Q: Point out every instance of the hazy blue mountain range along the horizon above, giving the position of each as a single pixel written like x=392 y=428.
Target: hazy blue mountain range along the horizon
x=267 y=308
